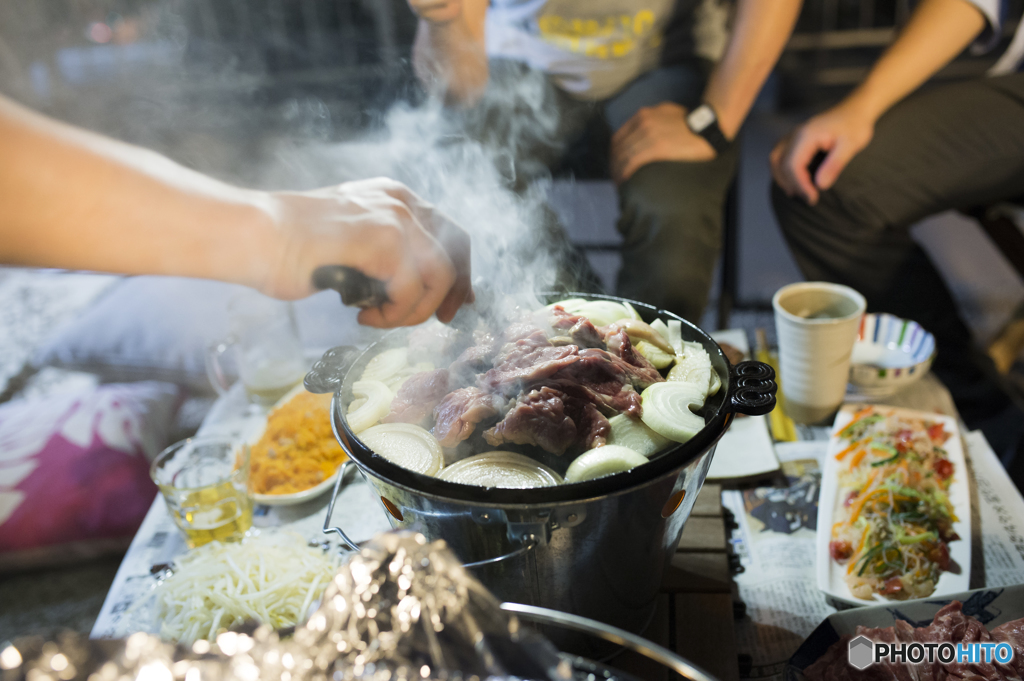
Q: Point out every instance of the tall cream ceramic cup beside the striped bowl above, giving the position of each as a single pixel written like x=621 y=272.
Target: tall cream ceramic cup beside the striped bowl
x=817 y=324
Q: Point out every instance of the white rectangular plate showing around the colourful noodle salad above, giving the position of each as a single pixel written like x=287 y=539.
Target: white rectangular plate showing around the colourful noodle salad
x=831 y=574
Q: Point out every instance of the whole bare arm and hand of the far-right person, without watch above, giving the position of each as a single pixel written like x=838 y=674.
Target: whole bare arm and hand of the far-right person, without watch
x=937 y=32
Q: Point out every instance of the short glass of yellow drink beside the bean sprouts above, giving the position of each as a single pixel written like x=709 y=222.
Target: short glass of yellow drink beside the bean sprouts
x=205 y=483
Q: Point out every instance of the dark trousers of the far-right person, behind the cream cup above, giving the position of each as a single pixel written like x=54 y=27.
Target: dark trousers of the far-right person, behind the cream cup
x=949 y=148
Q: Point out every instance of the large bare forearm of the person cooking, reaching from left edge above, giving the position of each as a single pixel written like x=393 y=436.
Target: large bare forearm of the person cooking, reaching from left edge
x=76 y=200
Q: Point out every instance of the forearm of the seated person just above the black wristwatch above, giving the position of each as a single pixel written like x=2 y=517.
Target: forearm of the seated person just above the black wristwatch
x=760 y=32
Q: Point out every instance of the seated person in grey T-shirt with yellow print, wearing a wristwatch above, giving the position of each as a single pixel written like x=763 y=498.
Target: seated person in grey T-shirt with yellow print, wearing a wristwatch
x=628 y=71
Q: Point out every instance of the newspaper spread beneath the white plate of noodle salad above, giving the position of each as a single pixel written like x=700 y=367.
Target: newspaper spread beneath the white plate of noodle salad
x=776 y=544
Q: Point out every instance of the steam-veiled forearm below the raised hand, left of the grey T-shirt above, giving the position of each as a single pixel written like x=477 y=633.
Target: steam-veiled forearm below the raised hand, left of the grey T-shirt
x=451 y=58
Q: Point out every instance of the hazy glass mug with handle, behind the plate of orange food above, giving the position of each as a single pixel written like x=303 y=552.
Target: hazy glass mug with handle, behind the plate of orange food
x=265 y=347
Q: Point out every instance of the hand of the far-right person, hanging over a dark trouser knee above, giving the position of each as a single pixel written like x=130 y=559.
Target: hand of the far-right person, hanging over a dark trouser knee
x=840 y=134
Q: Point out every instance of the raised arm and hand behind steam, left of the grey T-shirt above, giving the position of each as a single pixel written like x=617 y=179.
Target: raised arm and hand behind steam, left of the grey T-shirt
x=449 y=54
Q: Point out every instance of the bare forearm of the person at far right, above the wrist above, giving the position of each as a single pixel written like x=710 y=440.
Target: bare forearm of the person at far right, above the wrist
x=937 y=32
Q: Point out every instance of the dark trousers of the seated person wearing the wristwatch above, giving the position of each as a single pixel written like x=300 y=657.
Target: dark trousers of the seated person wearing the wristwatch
x=671 y=212
